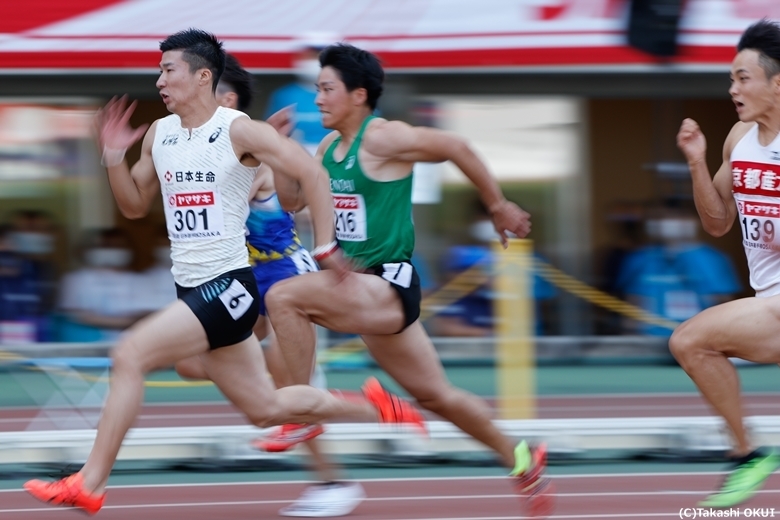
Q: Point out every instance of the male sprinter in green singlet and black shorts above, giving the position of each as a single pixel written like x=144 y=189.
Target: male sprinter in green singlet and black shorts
x=370 y=162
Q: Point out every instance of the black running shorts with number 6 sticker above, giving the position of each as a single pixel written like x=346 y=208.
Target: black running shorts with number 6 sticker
x=226 y=306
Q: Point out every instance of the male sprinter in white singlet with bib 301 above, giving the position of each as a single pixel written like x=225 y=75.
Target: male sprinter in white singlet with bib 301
x=204 y=158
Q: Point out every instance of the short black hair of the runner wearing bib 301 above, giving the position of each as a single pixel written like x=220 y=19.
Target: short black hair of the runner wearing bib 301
x=200 y=49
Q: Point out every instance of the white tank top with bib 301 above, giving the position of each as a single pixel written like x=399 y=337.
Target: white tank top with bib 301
x=205 y=192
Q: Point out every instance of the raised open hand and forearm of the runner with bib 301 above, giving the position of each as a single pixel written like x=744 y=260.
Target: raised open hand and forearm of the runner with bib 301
x=134 y=189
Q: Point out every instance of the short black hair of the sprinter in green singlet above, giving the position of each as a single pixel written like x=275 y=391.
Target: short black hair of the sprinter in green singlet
x=357 y=69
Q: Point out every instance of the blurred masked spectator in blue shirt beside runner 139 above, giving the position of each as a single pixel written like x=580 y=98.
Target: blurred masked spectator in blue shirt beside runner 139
x=676 y=276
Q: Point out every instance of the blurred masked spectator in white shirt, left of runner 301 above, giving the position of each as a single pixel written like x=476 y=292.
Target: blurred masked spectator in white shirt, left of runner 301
x=101 y=299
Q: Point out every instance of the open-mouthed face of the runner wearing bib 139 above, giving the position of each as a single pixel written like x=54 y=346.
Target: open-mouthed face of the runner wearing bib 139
x=751 y=91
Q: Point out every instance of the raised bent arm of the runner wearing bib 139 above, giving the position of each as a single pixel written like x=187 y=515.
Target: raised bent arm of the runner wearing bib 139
x=712 y=195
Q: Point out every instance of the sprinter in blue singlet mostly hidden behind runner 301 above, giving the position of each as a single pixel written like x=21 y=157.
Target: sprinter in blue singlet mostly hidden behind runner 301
x=276 y=253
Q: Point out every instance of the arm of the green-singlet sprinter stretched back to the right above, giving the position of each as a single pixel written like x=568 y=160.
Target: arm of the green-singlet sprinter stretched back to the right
x=401 y=142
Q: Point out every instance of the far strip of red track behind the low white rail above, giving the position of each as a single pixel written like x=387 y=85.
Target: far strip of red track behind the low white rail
x=549 y=407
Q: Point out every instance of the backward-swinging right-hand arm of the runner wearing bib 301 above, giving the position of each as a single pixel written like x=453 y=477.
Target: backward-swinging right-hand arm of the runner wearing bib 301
x=289 y=161
